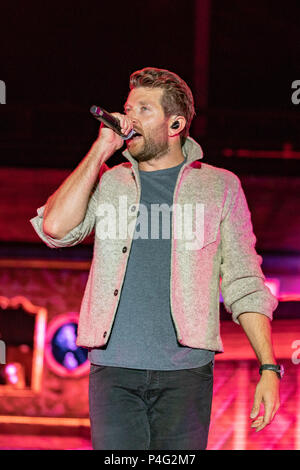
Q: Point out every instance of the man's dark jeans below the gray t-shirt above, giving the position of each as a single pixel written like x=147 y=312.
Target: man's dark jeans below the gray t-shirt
x=134 y=409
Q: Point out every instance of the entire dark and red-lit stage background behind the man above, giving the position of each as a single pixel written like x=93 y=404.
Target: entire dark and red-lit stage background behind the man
x=57 y=59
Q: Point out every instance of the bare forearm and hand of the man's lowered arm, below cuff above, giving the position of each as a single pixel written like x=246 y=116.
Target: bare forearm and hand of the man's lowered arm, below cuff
x=258 y=330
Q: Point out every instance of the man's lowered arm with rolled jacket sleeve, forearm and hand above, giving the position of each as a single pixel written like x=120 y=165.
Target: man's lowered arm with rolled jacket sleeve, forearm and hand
x=246 y=296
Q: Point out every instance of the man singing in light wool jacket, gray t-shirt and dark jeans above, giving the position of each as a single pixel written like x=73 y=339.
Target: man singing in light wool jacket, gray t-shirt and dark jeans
x=167 y=227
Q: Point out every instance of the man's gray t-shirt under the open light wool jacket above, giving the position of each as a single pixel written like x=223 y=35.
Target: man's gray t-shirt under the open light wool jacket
x=143 y=335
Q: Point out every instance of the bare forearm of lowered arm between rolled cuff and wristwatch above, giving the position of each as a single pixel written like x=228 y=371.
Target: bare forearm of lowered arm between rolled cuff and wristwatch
x=258 y=330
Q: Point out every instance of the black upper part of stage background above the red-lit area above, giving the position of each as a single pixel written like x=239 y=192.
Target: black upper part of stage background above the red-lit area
x=58 y=58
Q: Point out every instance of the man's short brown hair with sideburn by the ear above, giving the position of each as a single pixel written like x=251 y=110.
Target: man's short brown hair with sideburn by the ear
x=177 y=97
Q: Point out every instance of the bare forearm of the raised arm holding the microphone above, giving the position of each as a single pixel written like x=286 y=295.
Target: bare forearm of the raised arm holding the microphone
x=66 y=208
